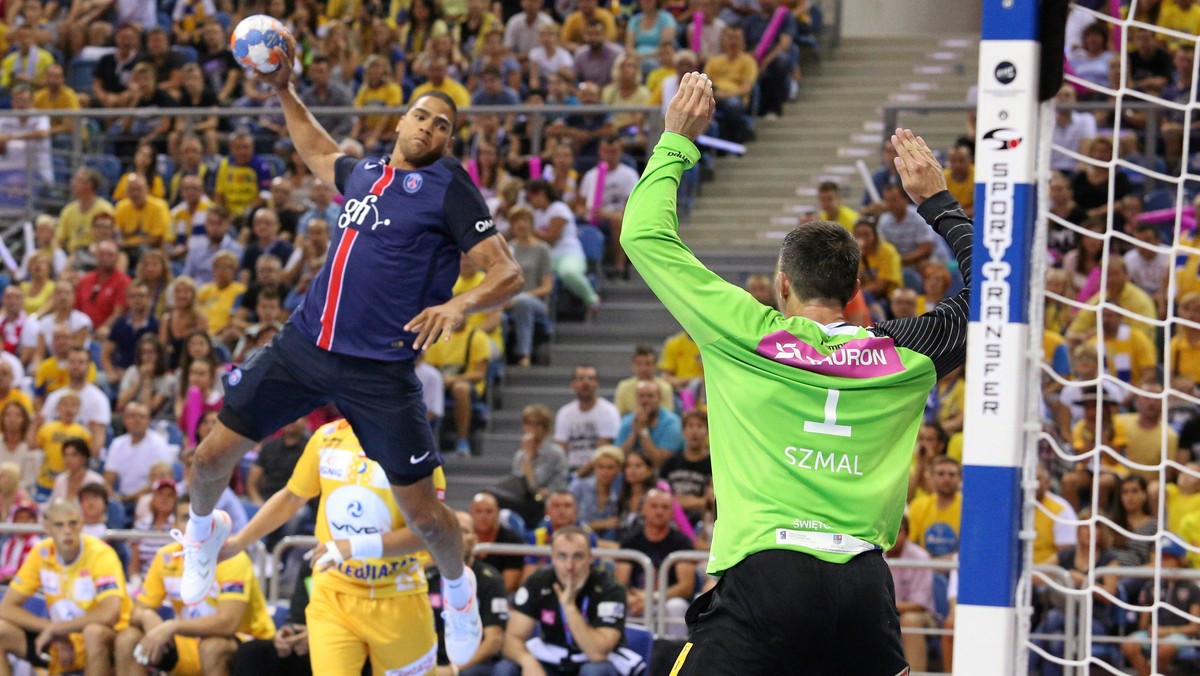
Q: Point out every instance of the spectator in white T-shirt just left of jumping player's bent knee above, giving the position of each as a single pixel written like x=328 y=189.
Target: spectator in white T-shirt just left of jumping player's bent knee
x=130 y=457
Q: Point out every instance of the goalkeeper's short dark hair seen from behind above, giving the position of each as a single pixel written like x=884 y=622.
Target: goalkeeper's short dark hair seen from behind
x=821 y=261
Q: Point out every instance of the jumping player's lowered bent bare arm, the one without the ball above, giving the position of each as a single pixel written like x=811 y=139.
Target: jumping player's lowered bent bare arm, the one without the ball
x=503 y=279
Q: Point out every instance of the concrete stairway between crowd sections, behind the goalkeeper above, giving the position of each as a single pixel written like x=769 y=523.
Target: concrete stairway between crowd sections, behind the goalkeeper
x=741 y=218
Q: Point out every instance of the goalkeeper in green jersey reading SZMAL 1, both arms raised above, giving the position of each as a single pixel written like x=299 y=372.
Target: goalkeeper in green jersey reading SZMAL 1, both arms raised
x=813 y=423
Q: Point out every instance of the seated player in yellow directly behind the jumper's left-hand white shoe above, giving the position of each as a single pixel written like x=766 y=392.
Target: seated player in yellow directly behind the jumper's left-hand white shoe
x=201 y=639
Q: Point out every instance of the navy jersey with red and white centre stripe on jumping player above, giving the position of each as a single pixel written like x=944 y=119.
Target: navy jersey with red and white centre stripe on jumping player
x=394 y=253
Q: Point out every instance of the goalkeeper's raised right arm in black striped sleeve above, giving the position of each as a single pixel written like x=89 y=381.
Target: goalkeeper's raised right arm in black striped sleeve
x=940 y=334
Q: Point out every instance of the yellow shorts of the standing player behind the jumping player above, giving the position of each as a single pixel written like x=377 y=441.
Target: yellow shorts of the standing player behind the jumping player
x=397 y=633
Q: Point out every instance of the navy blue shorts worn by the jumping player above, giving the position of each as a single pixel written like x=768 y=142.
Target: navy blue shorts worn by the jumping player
x=382 y=402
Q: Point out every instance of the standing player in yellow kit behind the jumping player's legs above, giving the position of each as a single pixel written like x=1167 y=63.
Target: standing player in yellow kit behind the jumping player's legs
x=369 y=590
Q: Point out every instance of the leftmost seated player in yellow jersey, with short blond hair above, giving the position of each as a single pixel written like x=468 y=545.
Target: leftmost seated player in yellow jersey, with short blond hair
x=85 y=588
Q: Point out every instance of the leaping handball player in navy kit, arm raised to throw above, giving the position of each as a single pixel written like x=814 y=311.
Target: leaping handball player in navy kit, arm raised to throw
x=382 y=297
